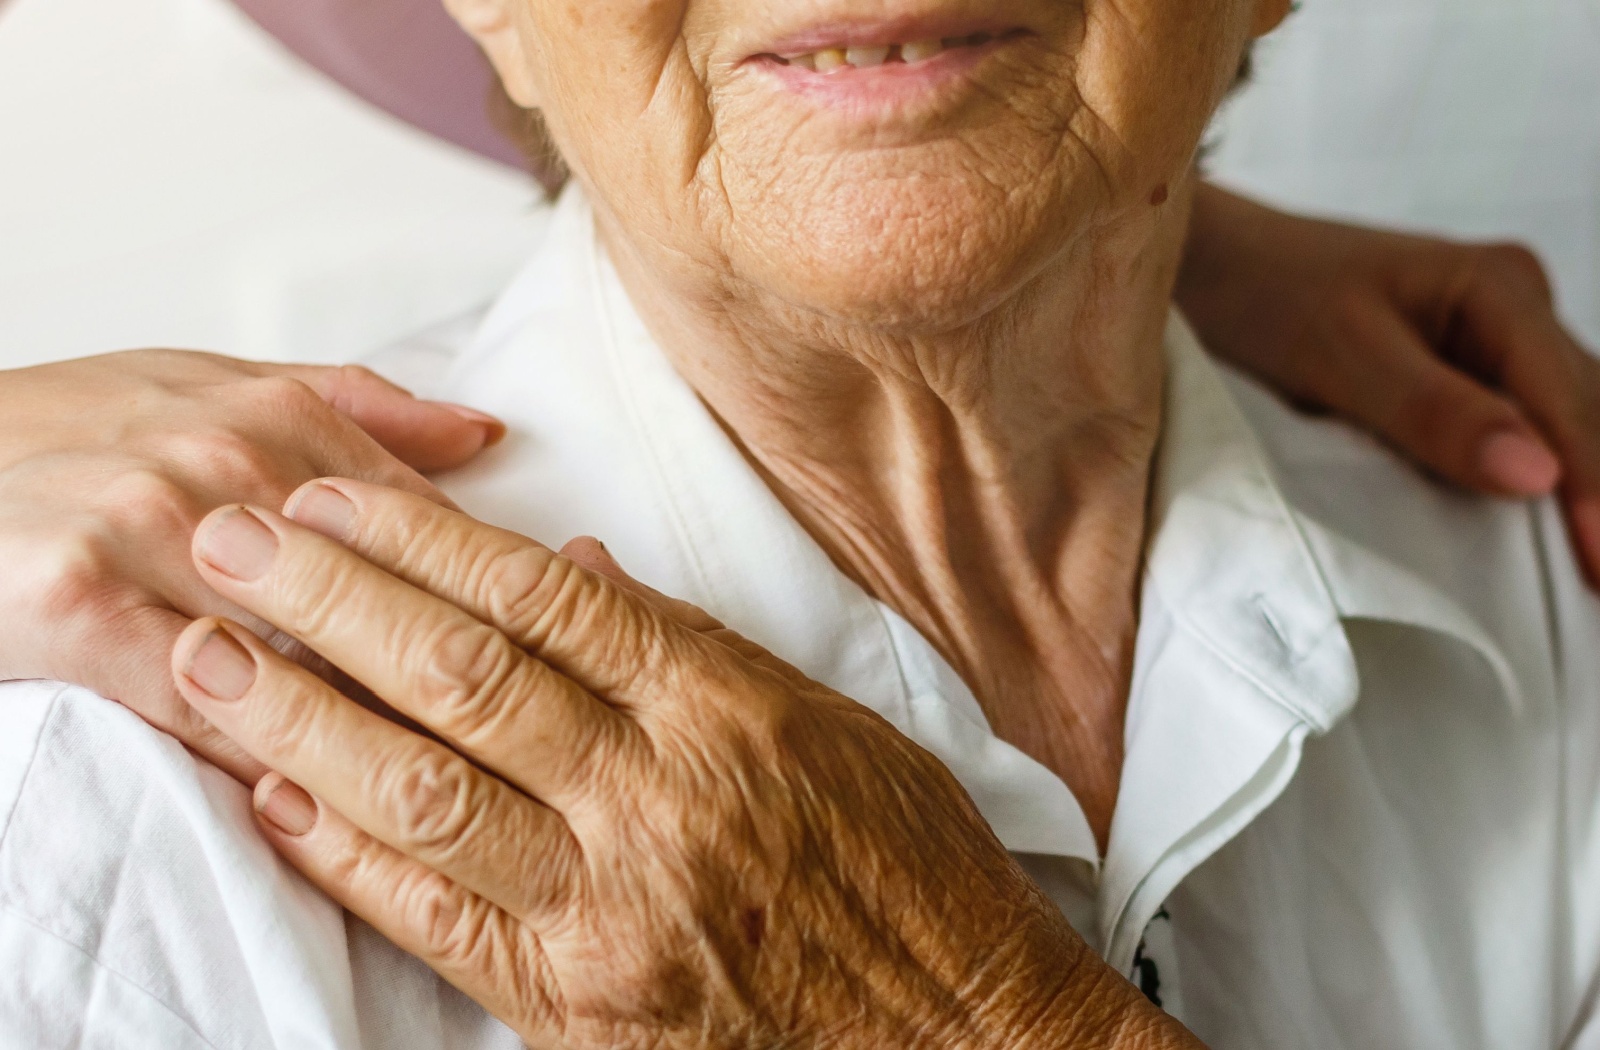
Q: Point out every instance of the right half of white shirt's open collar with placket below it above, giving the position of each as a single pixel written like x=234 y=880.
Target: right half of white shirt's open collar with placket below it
x=1242 y=649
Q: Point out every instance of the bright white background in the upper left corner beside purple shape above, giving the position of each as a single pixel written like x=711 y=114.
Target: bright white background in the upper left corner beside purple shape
x=169 y=177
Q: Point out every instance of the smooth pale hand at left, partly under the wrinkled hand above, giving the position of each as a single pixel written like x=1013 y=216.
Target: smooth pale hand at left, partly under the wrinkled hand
x=108 y=465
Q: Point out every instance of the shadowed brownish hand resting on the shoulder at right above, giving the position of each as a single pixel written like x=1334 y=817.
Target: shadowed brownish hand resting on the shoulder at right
x=1454 y=353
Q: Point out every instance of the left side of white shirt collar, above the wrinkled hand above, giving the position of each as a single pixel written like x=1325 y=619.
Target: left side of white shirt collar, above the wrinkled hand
x=607 y=439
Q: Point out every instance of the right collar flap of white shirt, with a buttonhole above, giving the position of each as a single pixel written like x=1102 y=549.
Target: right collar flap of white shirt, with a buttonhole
x=1260 y=577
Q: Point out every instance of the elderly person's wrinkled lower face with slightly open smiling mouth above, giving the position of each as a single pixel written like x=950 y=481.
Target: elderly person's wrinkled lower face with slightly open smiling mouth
x=898 y=162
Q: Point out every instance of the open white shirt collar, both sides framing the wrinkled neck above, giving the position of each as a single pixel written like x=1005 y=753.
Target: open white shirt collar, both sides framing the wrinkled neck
x=1241 y=636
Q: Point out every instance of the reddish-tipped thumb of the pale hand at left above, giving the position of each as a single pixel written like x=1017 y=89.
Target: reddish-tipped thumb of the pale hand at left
x=426 y=436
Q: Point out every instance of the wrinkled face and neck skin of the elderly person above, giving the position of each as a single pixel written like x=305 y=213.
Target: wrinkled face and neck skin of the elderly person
x=929 y=302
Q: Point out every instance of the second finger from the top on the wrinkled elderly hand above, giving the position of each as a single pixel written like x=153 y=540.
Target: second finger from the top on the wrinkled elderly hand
x=428 y=659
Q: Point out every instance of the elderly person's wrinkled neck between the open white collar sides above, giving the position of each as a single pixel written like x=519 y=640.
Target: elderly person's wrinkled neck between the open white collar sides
x=988 y=483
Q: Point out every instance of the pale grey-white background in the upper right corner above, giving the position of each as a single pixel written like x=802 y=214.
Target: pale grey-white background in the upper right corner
x=1473 y=118
